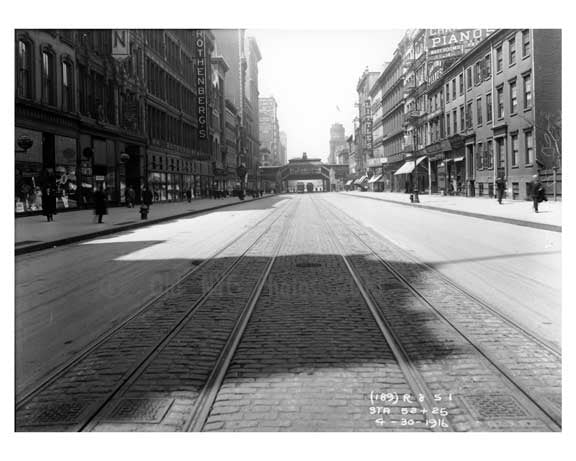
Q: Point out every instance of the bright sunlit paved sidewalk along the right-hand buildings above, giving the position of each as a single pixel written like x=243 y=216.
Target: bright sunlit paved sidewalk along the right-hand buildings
x=518 y=212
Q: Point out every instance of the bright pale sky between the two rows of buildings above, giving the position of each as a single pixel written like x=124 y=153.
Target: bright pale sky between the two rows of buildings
x=313 y=74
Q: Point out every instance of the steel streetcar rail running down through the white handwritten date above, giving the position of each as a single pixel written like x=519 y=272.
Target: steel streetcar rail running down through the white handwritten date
x=413 y=376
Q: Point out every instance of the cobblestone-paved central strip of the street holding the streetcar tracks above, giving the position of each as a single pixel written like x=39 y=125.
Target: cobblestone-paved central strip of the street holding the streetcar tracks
x=306 y=321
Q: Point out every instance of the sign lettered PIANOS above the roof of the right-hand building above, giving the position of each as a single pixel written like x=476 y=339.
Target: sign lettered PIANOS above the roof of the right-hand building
x=448 y=43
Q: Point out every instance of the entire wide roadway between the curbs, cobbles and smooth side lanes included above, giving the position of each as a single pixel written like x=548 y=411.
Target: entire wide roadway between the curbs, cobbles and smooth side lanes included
x=302 y=312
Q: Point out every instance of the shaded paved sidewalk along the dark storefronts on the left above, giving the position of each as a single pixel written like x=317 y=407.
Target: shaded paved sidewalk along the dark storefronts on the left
x=34 y=233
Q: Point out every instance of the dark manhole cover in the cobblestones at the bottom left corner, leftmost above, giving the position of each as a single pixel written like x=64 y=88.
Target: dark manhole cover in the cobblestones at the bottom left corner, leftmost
x=53 y=413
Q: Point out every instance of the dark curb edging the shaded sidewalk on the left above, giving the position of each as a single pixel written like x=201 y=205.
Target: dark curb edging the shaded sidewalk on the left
x=144 y=223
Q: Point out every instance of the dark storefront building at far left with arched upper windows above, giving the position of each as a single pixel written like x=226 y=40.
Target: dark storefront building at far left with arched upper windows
x=78 y=119
